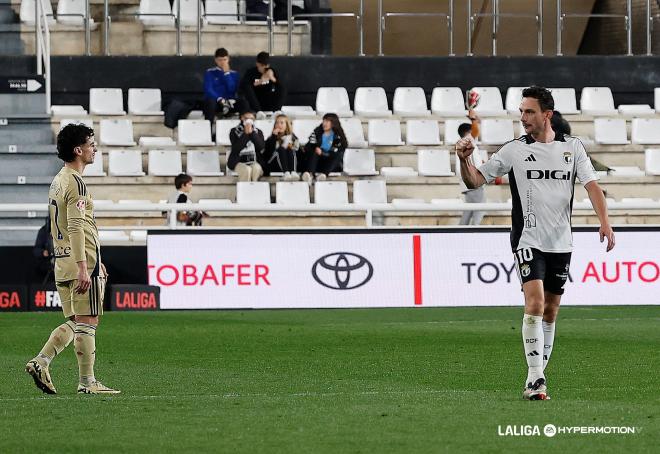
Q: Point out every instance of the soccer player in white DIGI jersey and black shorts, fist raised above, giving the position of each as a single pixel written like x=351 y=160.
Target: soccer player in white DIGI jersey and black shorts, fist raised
x=542 y=167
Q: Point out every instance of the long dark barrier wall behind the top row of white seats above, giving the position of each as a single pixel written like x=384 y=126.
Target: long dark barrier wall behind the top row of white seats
x=632 y=79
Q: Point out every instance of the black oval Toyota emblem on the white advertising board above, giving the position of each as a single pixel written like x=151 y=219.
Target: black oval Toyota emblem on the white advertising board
x=342 y=271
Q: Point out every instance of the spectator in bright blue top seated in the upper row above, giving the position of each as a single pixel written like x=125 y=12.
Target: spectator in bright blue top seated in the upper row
x=220 y=86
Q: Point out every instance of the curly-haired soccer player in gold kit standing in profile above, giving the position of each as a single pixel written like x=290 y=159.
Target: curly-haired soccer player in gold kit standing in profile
x=79 y=274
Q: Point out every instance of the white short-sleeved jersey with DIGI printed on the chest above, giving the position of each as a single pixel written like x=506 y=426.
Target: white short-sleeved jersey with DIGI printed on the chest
x=542 y=181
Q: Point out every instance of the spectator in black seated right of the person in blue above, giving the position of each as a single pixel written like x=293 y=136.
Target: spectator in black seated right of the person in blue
x=261 y=89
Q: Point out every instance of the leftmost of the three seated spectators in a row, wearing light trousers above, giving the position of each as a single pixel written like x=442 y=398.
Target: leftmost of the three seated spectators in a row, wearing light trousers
x=247 y=149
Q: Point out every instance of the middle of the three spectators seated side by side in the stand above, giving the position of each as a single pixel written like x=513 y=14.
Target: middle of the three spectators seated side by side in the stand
x=283 y=149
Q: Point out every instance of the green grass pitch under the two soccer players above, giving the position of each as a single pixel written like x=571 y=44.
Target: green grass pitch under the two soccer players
x=335 y=381
